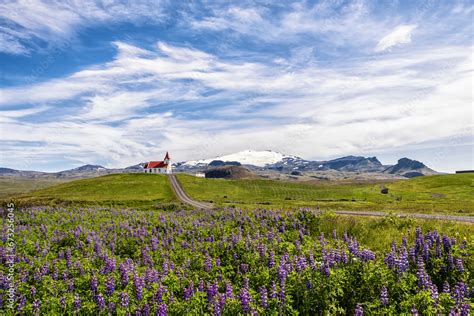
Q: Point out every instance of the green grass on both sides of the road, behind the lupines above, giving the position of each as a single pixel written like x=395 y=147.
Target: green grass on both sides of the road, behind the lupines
x=448 y=194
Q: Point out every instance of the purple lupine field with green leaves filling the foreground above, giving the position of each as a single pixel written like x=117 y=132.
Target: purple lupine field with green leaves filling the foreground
x=99 y=261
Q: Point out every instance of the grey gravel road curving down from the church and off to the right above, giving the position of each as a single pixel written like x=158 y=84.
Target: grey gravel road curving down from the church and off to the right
x=183 y=197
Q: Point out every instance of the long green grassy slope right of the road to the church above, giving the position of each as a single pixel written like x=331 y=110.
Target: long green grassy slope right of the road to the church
x=440 y=194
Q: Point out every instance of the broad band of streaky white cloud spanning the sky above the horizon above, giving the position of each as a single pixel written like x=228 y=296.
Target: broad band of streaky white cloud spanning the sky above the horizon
x=308 y=110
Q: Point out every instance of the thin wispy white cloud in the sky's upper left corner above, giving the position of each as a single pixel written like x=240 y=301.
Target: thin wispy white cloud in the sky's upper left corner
x=55 y=21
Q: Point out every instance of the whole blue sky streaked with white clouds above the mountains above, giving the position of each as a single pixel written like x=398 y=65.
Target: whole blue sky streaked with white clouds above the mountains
x=117 y=83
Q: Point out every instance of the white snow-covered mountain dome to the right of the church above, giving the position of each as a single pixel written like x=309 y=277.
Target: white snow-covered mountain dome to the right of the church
x=245 y=157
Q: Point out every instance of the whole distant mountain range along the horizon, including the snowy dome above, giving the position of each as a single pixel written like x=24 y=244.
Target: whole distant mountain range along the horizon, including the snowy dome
x=256 y=161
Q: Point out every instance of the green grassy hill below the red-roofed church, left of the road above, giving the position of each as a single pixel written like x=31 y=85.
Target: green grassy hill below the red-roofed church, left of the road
x=117 y=189
